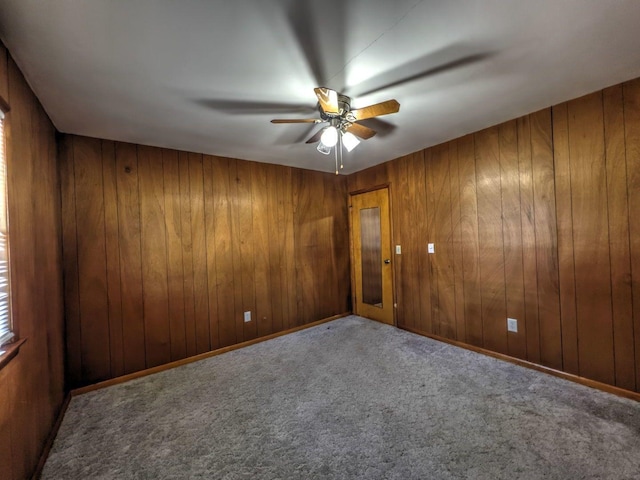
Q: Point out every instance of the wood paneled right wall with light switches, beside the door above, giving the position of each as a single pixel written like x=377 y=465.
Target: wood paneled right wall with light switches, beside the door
x=531 y=219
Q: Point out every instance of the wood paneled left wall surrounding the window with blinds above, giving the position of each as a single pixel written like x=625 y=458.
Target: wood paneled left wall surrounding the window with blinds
x=32 y=383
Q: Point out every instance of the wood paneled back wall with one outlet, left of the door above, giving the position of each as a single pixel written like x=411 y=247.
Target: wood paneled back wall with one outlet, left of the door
x=165 y=250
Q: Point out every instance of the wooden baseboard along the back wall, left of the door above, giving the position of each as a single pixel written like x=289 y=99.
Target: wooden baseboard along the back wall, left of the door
x=202 y=356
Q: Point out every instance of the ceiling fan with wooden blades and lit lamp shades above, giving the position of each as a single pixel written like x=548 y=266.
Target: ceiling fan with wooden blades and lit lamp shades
x=343 y=129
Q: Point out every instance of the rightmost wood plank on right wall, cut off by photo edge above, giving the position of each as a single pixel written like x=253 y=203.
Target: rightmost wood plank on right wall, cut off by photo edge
x=631 y=99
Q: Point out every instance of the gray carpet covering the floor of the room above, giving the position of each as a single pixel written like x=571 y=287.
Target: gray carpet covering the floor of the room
x=348 y=399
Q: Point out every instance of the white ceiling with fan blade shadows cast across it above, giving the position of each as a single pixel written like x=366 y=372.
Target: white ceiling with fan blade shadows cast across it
x=207 y=76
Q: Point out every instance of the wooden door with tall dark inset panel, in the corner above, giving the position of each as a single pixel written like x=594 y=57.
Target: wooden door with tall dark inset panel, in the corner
x=371 y=255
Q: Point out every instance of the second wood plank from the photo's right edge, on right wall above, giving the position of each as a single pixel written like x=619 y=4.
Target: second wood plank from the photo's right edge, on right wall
x=618 y=215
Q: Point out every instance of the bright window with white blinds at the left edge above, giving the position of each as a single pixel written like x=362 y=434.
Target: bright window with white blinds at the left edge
x=6 y=333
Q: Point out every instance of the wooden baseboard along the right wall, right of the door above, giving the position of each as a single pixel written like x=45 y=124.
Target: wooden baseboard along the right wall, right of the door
x=605 y=387
